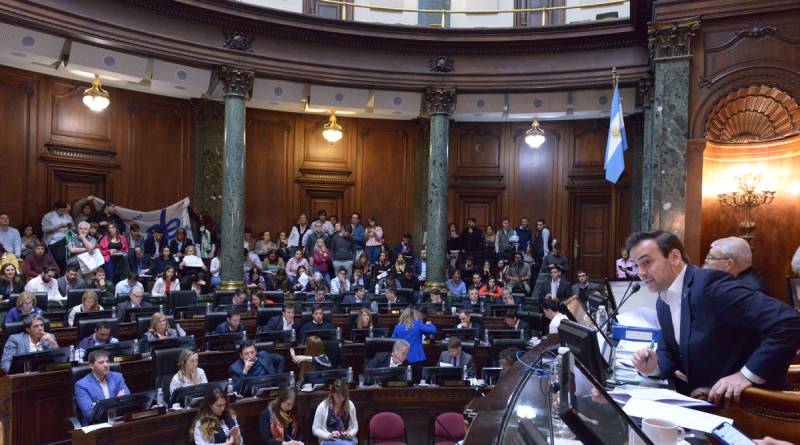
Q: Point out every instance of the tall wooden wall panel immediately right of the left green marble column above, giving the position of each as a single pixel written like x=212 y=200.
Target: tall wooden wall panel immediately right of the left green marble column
x=270 y=139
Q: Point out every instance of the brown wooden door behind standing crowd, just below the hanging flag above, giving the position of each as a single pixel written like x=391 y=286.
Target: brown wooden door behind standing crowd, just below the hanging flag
x=590 y=235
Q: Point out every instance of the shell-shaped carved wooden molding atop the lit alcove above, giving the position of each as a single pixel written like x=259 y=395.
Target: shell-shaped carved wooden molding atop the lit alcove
x=754 y=114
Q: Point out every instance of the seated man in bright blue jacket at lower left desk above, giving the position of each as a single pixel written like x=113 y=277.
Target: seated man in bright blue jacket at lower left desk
x=100 y=384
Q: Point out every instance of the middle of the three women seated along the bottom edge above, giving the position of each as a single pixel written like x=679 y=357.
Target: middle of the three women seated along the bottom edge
x=278 y=423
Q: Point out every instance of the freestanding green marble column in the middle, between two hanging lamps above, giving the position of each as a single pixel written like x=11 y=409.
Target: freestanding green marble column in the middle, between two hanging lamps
x=440 y=103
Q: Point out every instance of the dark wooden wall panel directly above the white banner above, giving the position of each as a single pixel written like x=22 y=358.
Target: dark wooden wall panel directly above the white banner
x=160 y=151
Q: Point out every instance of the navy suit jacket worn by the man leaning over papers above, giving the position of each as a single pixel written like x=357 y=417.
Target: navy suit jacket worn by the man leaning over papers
x=725 y=325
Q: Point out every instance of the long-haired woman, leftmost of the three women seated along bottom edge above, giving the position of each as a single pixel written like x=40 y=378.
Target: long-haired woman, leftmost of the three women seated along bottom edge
x=215 y=422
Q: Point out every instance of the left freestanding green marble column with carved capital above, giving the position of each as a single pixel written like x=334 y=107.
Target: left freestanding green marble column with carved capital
x=238 y=85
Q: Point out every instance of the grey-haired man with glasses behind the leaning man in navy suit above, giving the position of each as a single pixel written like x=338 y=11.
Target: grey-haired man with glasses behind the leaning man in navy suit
x=733 y=255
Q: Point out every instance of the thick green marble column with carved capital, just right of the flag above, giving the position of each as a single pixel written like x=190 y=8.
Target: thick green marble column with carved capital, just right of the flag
x=666 y=144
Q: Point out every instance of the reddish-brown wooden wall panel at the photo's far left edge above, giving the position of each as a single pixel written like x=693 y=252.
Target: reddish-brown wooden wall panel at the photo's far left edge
x=18 y=94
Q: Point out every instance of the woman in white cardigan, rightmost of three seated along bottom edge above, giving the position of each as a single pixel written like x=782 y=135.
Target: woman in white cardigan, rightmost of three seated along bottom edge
x=335 y=421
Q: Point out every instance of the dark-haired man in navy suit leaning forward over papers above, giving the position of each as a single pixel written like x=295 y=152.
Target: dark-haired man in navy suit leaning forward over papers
x=715 y=331
